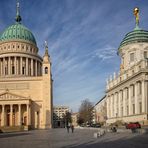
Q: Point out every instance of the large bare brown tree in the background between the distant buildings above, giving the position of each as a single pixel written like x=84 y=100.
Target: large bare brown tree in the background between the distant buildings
x=85 y=112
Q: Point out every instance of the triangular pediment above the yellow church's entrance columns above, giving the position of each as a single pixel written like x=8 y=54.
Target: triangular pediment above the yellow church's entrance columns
x=10 y=96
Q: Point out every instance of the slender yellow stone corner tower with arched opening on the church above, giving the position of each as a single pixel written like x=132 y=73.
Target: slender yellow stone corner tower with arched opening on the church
x=47 y=89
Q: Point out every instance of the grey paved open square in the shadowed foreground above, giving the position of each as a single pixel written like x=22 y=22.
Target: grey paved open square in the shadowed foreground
x=59 y=138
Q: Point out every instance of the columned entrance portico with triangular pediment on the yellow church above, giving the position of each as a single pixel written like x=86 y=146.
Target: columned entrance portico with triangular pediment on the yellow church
x=14 y=110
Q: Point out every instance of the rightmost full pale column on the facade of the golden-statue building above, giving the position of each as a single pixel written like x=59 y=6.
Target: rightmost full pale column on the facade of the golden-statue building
x=143 y=97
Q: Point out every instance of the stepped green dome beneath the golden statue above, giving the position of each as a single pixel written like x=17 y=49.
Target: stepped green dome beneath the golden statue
x=135 y=36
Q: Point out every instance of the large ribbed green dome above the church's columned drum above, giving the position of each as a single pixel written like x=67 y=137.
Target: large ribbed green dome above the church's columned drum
x=17 y=31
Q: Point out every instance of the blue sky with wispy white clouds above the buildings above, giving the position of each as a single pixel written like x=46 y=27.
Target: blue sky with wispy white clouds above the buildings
x=83 y=38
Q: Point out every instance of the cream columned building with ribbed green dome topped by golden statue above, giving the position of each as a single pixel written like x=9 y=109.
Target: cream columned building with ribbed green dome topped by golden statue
x=127 y=92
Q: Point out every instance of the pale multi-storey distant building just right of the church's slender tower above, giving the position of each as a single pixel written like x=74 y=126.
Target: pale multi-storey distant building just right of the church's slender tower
x=58 y=115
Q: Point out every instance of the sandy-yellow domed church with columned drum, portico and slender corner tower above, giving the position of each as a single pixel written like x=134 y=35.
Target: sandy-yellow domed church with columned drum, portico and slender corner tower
x=25 y=80
